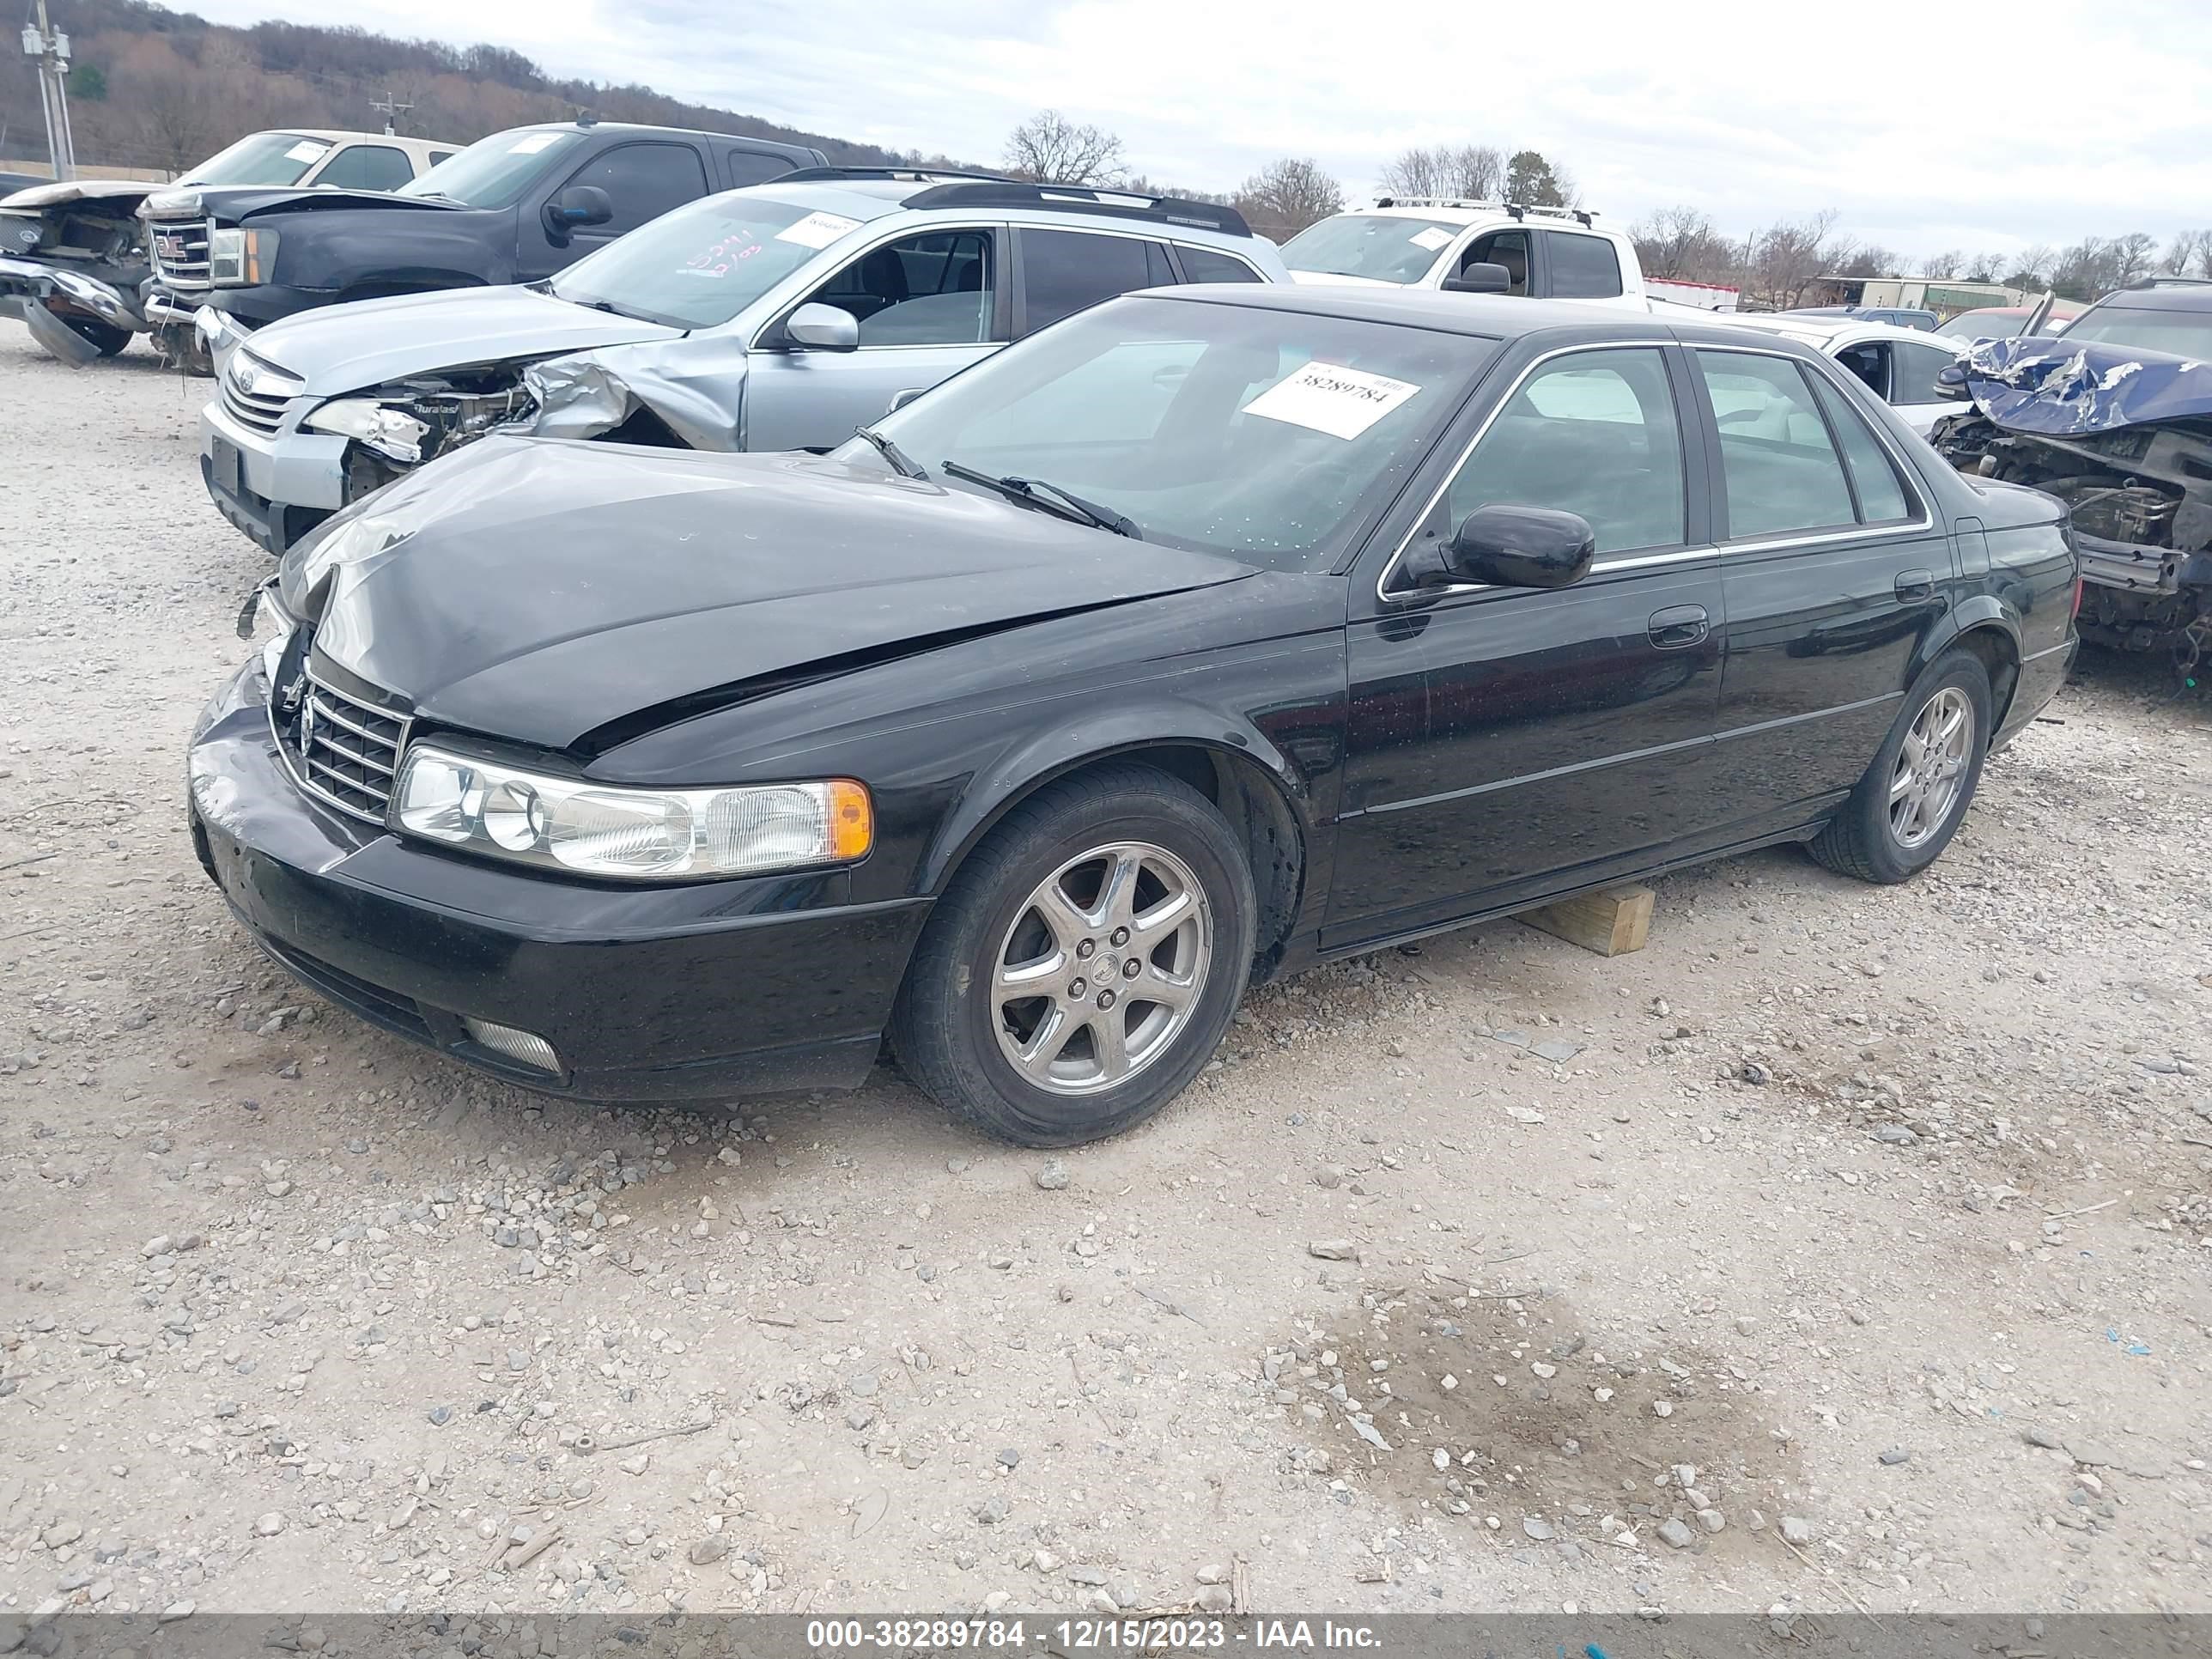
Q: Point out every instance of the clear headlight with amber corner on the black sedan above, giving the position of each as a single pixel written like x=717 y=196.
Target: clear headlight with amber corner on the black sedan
x=632 y=835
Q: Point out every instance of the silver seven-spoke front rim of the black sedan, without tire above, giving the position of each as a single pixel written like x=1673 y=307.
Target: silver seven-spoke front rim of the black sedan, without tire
x=1103 y=968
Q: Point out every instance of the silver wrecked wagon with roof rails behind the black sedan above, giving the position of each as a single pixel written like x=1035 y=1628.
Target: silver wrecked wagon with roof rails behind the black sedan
x=775 y=317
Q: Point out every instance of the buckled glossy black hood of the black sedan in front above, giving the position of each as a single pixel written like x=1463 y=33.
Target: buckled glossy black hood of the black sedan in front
x=539 y=589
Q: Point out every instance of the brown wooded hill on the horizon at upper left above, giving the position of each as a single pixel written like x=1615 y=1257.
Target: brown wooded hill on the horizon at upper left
x=165 y=90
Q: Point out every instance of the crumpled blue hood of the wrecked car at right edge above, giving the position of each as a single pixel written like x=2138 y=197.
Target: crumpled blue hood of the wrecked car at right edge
x=2056 y=388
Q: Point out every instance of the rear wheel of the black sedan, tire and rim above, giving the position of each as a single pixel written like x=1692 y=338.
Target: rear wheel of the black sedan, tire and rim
x=1906 y=811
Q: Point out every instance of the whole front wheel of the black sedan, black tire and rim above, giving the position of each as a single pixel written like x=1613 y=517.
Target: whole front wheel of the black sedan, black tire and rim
x=959 y=1032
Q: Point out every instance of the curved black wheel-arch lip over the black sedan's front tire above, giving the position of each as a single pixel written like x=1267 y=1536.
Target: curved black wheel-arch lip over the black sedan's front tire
x=1100 y=735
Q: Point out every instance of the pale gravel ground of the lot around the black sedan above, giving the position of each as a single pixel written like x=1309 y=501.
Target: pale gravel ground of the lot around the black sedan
x=1844 y=1249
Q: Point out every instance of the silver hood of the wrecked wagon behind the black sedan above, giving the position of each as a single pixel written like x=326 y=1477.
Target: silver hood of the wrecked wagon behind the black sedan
x=368 y=344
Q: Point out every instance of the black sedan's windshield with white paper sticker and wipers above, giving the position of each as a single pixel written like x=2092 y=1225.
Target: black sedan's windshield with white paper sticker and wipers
x=1224 y=428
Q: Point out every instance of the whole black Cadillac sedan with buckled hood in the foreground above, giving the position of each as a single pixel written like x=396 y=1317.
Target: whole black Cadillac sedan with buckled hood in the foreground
x=1193 y=640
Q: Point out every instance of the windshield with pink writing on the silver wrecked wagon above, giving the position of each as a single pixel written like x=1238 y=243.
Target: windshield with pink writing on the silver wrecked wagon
x=705 y=262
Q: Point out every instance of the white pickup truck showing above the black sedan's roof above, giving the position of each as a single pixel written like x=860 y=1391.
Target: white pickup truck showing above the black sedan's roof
x=1430 y=242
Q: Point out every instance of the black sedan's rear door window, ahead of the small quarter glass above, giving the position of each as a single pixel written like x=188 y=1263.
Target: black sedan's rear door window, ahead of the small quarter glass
x=1777 y=455
